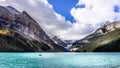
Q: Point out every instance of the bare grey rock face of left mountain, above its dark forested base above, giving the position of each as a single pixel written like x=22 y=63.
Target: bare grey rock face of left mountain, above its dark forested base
x=26 y=26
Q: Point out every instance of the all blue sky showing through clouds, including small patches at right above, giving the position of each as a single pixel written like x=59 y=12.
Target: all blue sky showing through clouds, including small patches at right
x=63 y=7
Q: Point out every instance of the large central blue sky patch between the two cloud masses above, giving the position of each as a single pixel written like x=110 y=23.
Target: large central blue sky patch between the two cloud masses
x=63 y=7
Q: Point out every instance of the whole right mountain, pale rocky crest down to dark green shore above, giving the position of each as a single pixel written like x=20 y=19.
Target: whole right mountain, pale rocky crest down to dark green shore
x=104 y=39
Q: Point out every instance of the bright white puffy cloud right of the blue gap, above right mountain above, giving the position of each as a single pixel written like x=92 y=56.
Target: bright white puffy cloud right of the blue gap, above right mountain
x=94 y=13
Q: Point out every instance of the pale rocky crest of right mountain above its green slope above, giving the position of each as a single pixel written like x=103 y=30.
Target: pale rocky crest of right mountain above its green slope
x=80 y=44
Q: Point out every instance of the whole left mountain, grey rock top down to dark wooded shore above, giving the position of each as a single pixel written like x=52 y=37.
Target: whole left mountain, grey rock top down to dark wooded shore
x=20 y=32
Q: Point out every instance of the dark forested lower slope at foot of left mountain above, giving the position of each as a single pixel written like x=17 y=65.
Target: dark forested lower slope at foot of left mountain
x=18 y=43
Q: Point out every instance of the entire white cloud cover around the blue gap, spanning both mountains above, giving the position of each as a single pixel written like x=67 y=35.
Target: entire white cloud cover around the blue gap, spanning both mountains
x=87 y=19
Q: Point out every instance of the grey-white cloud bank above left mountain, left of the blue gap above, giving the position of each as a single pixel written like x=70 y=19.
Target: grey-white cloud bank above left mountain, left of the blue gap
x=43 y=13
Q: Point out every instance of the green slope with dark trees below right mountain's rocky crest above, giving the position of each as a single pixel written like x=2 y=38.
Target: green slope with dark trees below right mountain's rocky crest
x=106 y=43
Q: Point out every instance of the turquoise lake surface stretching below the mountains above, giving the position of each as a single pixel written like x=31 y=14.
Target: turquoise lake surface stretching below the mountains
x=59 y=60
